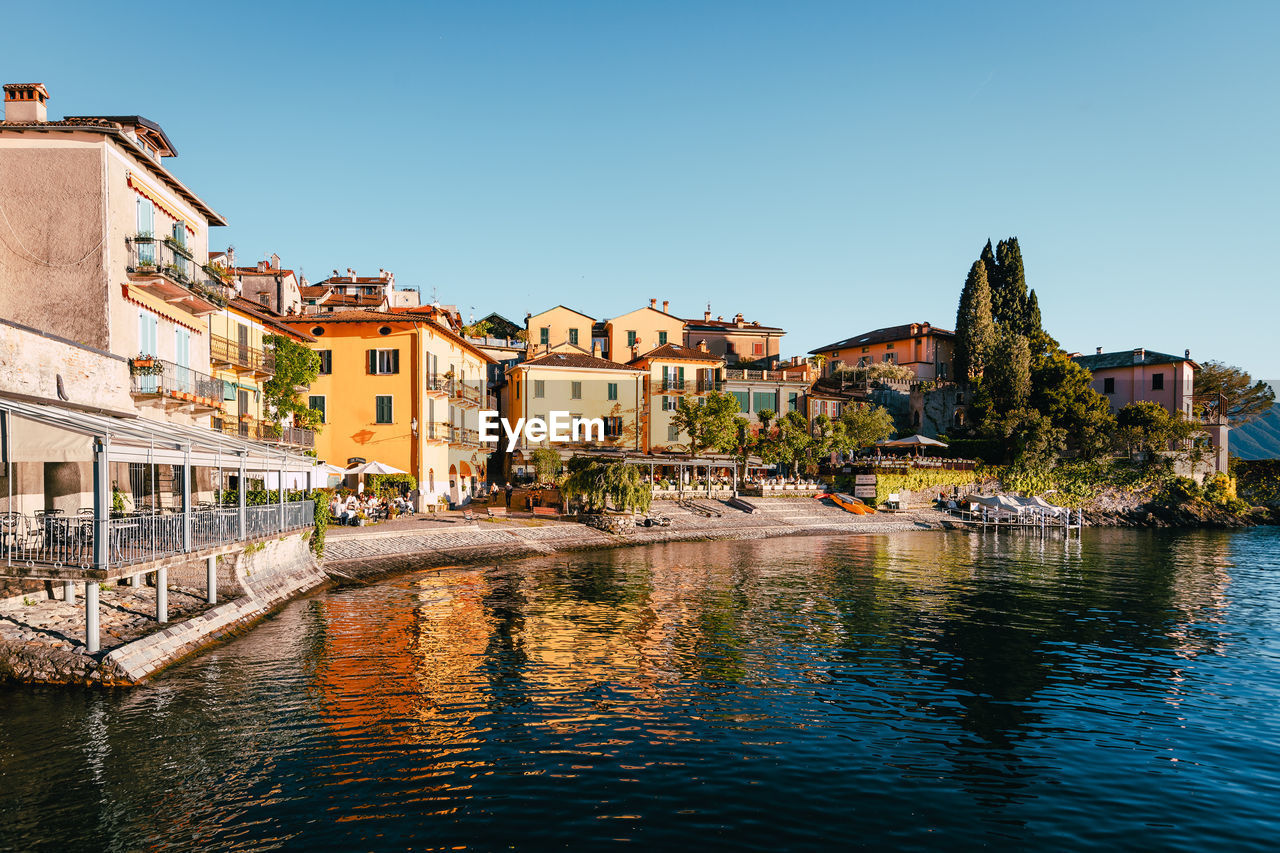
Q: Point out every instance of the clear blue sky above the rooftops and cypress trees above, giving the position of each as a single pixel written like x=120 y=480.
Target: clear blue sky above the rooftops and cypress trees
x=825 y=167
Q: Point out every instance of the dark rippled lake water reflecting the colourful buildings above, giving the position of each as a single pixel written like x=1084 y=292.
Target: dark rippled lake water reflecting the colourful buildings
x=917 y=690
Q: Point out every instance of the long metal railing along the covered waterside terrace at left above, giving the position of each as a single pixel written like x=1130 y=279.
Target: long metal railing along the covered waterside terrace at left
x=141 y=537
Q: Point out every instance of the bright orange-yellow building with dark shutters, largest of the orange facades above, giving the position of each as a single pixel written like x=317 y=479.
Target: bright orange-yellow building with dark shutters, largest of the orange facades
x=403 y=390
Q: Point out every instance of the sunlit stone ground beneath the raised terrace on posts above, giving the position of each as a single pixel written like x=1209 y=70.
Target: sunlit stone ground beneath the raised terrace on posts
x=125 y=614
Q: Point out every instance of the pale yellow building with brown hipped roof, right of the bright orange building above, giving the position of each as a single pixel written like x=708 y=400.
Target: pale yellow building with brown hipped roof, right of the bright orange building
x=583 y=386
